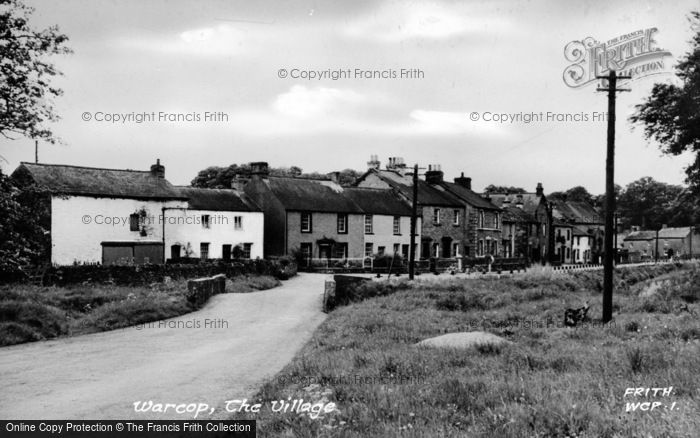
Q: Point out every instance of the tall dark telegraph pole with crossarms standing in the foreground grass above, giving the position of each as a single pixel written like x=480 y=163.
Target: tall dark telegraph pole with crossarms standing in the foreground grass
x=612 y=89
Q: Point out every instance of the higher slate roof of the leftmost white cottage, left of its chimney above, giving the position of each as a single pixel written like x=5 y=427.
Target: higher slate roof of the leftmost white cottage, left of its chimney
x=91 y=181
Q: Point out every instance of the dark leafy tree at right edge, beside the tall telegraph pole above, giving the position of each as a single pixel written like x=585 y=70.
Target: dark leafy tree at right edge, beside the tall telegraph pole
x=671 y=114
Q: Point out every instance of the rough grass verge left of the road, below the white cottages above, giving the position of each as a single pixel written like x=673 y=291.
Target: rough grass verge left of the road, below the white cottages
x=31 y=313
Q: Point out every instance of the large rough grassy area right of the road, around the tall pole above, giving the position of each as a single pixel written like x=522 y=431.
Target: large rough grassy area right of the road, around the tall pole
x=550 y=380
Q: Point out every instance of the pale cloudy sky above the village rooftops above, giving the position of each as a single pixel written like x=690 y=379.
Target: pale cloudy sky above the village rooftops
x=249 y=65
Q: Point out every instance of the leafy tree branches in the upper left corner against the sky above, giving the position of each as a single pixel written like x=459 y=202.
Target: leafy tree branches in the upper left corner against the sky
x=26 y=92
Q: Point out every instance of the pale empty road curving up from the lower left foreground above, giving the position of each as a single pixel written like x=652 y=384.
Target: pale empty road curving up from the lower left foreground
x=101 y=376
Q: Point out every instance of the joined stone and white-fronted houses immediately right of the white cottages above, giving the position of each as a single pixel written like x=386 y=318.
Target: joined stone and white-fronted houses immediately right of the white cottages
x=324 y=222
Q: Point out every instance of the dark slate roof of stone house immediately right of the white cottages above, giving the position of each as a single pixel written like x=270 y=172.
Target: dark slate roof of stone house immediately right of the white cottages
x=300 y=194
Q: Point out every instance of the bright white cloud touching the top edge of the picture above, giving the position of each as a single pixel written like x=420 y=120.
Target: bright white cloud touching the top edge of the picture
x=401 y=21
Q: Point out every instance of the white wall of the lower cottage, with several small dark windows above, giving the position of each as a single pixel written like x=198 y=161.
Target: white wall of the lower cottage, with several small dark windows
x=183 y=227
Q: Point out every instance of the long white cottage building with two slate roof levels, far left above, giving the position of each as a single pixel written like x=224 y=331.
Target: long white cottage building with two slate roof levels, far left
x=113 y=216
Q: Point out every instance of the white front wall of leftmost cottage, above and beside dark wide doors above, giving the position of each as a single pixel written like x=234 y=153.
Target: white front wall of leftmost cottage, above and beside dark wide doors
x=79 y=224
